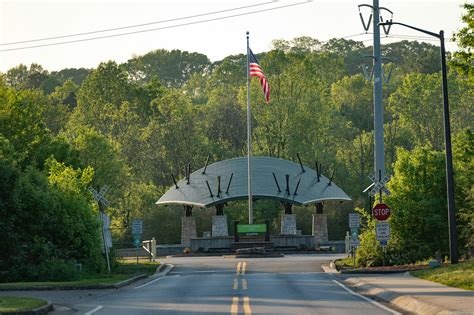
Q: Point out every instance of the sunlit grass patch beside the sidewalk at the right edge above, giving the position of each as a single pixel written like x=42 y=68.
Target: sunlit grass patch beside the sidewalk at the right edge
x=459 y=276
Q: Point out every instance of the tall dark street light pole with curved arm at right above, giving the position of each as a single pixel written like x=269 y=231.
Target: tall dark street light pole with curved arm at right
x=453 y=242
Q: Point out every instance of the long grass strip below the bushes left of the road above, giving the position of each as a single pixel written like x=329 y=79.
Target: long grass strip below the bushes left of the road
x=123 y=271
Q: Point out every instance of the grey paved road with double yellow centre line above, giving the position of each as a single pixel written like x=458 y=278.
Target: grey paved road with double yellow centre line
x=294 y=284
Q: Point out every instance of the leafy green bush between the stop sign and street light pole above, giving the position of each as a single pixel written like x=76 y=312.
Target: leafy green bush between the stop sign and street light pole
x=419 y=223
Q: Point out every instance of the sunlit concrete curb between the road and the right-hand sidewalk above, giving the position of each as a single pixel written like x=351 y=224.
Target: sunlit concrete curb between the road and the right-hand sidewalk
x=404 y=302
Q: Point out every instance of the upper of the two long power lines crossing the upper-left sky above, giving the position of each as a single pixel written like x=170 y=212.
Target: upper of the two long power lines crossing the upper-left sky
x=137 y=25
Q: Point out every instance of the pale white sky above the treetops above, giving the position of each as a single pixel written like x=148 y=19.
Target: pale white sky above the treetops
x=23 y=20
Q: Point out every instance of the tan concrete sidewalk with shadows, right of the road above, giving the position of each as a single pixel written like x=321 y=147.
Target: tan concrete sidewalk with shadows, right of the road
x=412 y=294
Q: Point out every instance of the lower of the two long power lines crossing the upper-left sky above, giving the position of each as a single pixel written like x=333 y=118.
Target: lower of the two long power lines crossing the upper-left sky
x=158 y=28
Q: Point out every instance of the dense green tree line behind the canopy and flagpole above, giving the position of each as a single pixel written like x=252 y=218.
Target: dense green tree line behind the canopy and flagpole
x=131 y=125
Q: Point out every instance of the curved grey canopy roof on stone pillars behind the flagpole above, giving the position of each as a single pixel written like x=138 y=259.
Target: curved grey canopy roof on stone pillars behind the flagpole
x=309 y=190
